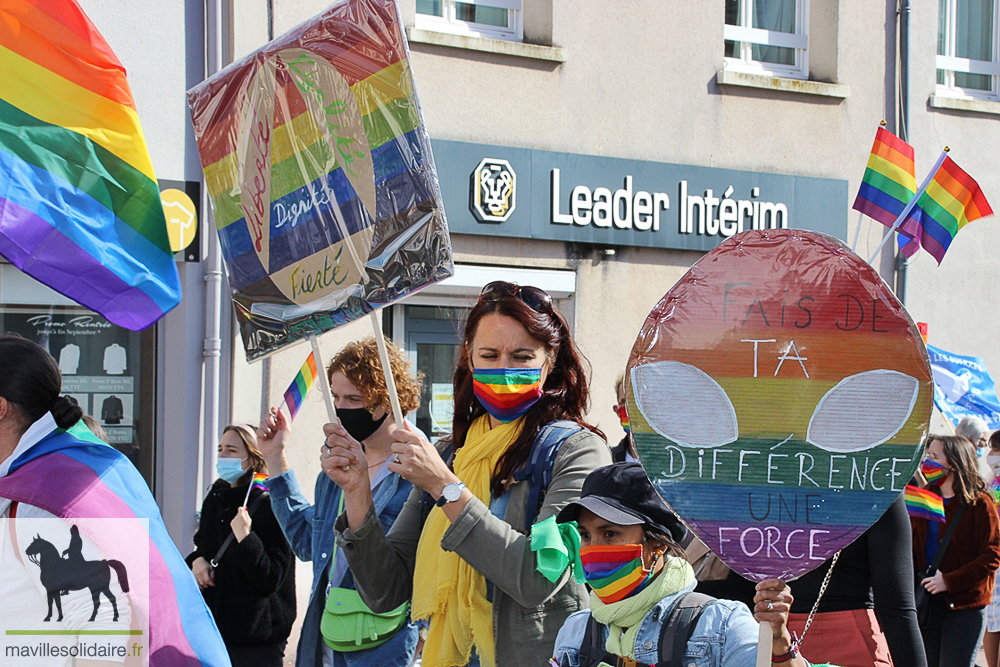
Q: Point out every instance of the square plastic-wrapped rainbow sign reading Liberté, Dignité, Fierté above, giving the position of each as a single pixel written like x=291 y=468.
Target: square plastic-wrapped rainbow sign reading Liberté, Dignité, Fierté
x=321 y=177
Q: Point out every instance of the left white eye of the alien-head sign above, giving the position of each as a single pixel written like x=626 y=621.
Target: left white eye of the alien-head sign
x=684 y=404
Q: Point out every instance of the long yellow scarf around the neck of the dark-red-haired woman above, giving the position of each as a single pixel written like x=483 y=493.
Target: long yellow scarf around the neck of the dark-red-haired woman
x=446 y=589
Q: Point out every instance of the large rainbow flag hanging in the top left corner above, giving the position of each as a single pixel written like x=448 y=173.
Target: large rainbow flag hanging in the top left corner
x=79 y=205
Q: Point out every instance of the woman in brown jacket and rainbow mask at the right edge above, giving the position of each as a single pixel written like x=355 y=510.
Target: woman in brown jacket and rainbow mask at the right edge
x=963 y=583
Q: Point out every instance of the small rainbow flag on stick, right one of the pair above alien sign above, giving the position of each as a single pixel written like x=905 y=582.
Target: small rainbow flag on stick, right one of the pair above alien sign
x=951 y=200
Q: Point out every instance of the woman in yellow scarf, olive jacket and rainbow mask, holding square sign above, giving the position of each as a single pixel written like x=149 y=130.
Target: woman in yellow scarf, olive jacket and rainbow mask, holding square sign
x=468 y=564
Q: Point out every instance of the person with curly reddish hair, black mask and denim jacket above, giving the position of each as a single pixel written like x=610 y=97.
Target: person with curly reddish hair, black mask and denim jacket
x=362 y=403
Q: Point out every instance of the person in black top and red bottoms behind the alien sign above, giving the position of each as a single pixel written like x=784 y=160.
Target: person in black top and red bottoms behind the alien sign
x=867 y=612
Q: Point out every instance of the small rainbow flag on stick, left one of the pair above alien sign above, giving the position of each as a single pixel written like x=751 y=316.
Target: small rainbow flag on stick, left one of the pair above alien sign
x=889 y=181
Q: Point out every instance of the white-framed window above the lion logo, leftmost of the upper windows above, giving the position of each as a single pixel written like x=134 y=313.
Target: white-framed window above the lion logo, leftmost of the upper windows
x=496 y=19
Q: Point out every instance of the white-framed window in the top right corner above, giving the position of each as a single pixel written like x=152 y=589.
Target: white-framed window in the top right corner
x=967 y=57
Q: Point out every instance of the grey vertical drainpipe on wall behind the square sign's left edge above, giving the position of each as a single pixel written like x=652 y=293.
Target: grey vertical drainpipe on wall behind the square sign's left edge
x=218 y=53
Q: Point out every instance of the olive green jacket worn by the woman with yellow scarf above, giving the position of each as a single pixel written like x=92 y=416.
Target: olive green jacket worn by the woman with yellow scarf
x=528 y=609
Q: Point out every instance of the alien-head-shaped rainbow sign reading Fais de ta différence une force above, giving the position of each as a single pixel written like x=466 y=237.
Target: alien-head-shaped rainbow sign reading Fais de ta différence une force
x=778 y=396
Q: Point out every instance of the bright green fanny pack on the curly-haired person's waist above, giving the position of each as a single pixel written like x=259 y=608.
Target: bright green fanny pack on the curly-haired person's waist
x=349 y=625
